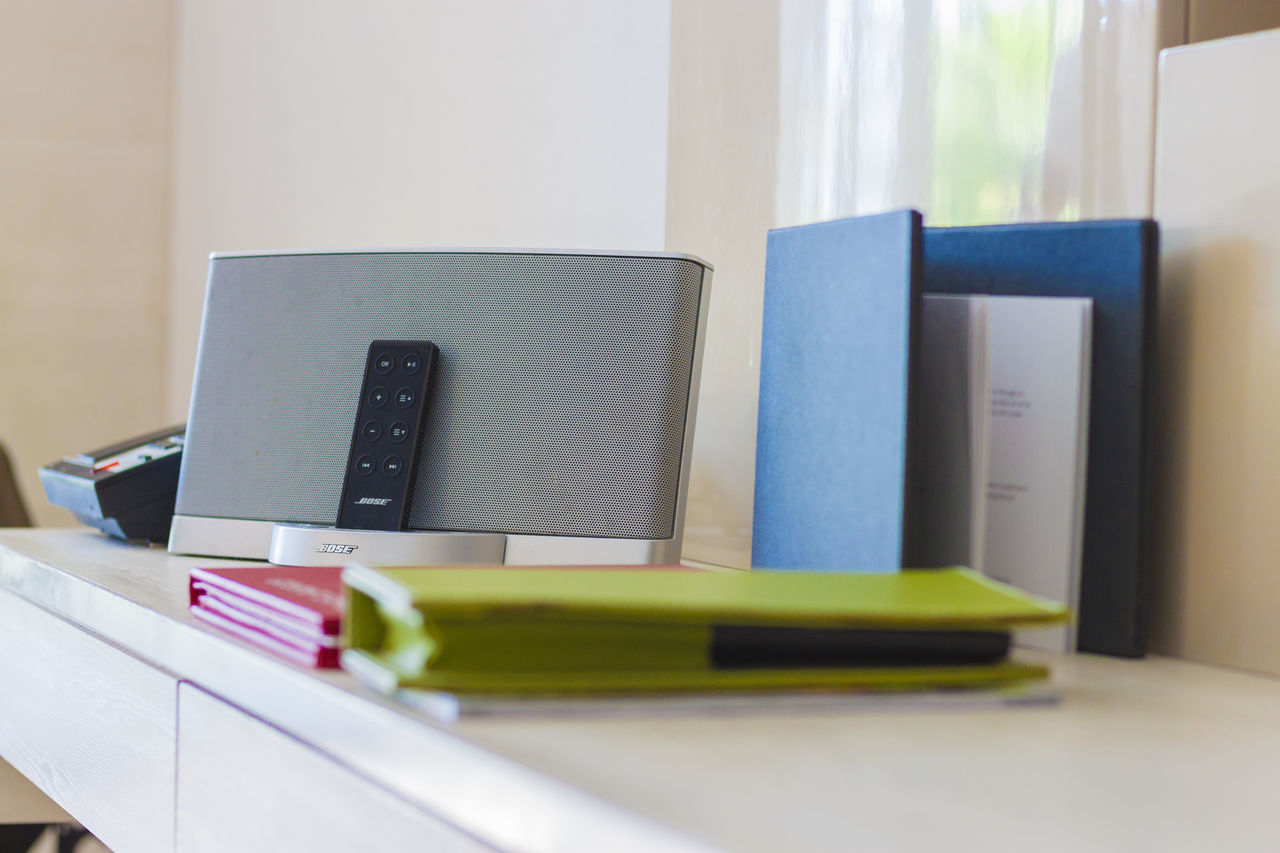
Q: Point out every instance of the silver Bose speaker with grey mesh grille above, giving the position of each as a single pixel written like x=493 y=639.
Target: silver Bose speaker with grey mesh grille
x=563 y=417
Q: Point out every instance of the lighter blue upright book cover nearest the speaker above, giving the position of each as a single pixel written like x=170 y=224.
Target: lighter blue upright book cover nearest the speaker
x=839 y=366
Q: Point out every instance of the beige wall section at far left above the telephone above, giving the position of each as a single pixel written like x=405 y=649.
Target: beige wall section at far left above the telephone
x=85 y=90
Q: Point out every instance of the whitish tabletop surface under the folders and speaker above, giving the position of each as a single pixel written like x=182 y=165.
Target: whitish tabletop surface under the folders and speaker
x=1140 y=755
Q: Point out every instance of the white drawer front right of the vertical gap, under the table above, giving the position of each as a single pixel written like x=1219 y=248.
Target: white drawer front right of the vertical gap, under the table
x=245 y=786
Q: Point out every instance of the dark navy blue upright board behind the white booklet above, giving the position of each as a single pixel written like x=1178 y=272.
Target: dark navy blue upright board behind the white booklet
x=1116 y=264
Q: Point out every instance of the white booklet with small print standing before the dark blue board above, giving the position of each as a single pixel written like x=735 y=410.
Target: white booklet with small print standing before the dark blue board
x=1004 y=443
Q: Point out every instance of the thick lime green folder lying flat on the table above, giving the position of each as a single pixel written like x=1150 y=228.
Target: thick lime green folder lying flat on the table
x=616 y=631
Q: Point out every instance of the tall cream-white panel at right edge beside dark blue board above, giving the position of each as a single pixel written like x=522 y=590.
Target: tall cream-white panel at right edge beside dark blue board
x=1218 y=463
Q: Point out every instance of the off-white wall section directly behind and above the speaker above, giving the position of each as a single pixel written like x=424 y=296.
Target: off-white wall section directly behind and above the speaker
x=305 y=125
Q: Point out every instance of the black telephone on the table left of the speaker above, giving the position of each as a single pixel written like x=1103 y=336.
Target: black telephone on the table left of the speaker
x=126 y=490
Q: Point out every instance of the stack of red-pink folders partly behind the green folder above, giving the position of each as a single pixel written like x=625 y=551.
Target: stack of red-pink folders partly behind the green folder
x=292 y=612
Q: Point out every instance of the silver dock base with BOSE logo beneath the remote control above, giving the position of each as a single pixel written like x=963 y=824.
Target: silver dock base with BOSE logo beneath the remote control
x=316 y=545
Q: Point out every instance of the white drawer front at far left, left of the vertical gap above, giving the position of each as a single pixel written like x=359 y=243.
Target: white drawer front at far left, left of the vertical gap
x=93 y=727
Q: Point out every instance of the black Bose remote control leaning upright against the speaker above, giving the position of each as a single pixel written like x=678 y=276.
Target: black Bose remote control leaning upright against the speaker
x=388 y=434
